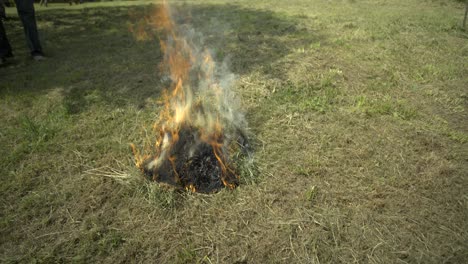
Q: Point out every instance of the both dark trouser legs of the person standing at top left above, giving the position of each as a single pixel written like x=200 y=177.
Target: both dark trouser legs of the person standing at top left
x=27 y=15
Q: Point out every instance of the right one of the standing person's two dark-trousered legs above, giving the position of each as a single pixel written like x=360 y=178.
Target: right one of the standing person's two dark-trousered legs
x=27 y=15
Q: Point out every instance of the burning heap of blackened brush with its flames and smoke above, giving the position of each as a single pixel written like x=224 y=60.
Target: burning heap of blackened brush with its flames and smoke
x=197 y=127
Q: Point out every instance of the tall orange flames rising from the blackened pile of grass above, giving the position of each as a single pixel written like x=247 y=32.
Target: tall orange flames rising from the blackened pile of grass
x=179 y=106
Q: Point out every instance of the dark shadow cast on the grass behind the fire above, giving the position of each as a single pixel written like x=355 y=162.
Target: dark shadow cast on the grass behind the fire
x=94 y=59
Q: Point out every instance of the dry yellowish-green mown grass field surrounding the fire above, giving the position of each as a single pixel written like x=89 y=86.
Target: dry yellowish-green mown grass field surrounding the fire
x=358 y=109
